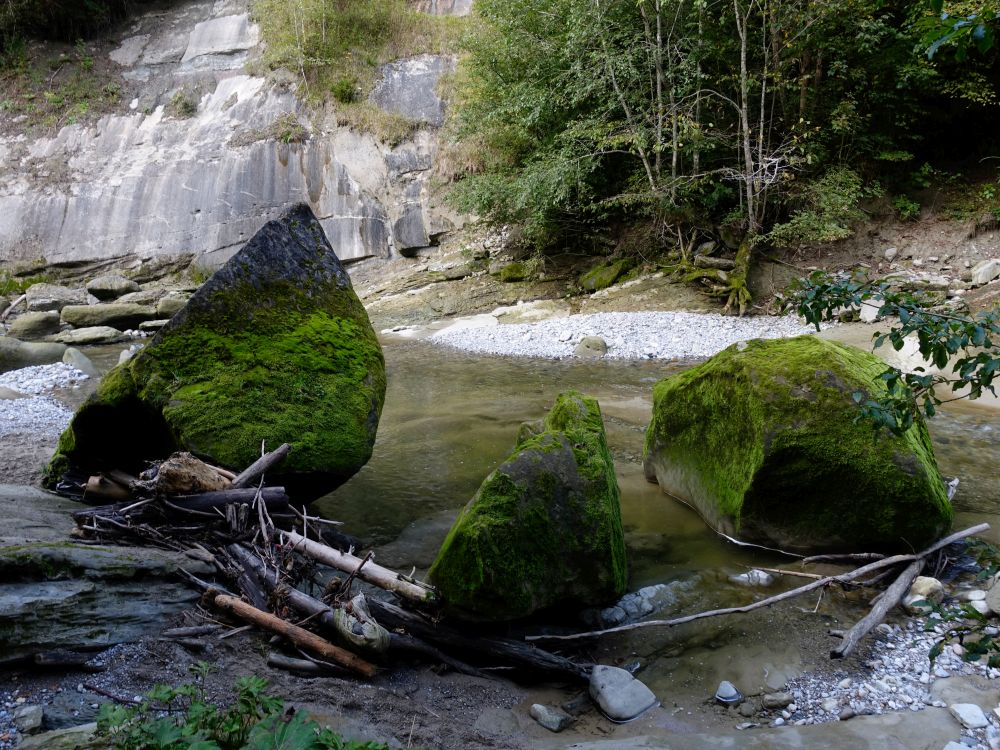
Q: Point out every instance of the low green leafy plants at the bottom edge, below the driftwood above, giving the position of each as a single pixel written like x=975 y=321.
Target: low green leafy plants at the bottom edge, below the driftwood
x=181 y=718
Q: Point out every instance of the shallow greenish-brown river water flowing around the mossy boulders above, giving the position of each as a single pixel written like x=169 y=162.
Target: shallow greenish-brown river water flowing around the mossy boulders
x=451 y=417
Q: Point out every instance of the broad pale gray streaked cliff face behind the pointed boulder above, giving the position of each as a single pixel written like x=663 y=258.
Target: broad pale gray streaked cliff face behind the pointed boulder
x=141 y=183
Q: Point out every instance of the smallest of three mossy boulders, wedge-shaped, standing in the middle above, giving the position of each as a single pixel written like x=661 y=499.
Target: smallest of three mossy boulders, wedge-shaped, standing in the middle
x=544 y=529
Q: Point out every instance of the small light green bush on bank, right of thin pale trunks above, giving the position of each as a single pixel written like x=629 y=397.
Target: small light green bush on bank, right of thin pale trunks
x=828 y=205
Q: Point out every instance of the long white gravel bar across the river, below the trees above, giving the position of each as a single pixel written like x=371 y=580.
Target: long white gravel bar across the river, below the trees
x=636 y=335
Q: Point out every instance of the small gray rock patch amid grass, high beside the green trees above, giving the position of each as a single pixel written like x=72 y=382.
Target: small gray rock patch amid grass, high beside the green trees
x=409 y=88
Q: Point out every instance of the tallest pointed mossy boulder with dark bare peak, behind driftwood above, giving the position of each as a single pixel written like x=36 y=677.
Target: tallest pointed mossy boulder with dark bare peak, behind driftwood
x=274 y=347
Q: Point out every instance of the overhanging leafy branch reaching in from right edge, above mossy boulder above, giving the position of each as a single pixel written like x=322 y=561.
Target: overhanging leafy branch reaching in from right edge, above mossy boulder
x=943 y=339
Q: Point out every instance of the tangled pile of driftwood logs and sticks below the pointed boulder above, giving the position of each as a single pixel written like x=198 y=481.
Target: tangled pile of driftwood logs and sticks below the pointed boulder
x=291 y=574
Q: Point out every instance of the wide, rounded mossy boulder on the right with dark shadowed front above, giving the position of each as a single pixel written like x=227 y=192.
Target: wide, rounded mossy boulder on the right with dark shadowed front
x=763 y=441
